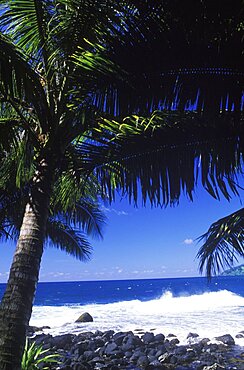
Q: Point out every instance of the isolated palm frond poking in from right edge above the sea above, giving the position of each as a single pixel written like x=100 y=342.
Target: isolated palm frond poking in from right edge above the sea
x=223 y=244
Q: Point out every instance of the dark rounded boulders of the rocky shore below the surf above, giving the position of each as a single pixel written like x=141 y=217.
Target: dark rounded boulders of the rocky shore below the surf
x=141 y=350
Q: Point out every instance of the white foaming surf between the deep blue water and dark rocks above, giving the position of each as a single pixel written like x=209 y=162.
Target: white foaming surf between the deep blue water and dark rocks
x=209 y=314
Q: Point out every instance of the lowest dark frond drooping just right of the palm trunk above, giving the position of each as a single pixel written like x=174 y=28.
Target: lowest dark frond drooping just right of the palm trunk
x=68 y=239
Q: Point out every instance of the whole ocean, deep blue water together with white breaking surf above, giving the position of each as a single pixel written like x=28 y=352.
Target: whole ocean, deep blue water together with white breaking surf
x=177 y=306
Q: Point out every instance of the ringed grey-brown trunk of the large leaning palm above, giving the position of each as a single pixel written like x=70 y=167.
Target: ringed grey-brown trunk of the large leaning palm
x=16 y=305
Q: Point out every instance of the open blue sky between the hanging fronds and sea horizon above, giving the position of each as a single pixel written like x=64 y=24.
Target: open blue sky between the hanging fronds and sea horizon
x=138 y=243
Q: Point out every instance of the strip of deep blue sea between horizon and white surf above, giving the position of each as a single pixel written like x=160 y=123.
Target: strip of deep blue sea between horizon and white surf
x=88 y=292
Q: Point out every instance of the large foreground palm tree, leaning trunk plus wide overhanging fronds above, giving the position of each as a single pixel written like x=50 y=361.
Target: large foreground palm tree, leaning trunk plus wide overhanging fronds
x=80 y=84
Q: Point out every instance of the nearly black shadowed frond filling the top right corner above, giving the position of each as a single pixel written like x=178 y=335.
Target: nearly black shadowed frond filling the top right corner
x=185 y=70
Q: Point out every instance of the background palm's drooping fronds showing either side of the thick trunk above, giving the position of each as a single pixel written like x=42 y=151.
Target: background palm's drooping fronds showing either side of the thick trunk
x=67 y=231
